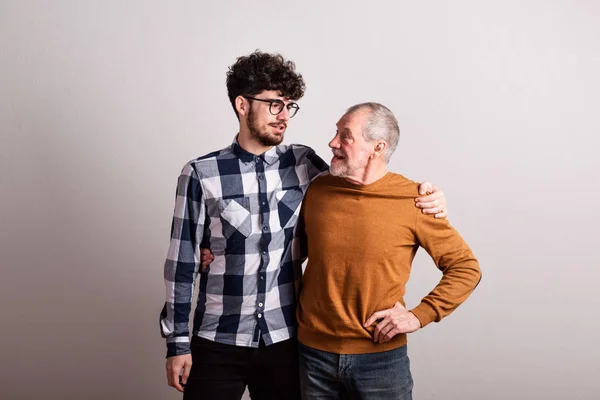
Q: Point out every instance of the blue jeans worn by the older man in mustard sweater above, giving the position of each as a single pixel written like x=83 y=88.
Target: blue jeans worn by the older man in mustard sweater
x=371 y=376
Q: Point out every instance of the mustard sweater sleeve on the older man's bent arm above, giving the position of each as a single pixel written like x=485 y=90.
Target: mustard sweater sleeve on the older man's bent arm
x=452 y=256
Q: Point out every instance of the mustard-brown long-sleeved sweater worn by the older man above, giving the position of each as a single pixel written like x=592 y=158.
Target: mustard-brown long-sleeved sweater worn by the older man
x=361 y=242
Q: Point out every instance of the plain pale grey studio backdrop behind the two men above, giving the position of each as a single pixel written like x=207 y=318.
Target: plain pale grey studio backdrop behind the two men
x=102 y=103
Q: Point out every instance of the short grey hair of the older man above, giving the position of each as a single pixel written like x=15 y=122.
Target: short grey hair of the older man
x=380 y=124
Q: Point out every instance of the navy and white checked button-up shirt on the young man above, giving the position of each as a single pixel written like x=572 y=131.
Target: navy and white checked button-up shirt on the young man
x=244 y=208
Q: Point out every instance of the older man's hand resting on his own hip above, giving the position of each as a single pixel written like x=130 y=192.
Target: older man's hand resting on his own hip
x=394 y=320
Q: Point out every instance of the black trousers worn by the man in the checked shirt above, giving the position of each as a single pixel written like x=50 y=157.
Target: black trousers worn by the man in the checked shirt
x=221 y=371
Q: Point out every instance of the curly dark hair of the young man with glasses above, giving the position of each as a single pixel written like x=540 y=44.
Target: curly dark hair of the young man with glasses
x=260 y=71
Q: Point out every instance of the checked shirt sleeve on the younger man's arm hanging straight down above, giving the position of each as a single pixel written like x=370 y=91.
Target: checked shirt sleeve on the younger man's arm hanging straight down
x=183 y=261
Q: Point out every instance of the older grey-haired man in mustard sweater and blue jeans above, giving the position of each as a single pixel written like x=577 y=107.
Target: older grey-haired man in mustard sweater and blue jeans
x=362 y=232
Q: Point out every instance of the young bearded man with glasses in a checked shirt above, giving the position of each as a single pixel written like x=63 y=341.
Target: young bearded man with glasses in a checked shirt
x=243 y=203
